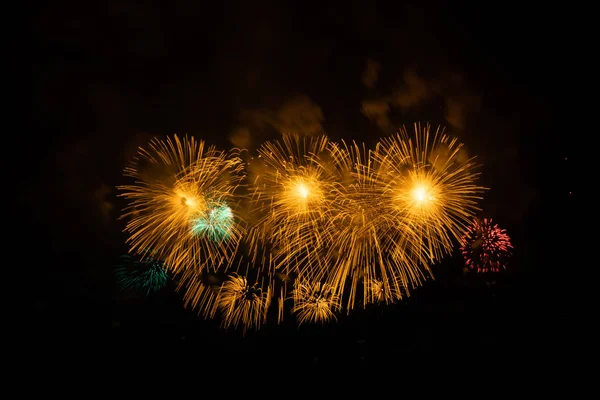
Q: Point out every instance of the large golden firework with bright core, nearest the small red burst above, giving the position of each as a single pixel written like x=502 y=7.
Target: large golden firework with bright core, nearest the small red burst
x=429 y=184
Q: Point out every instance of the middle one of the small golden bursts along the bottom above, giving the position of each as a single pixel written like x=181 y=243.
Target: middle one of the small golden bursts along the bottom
x=314 y=302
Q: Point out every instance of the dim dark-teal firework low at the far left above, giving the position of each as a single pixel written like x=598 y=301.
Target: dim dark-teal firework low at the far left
x=145 y=274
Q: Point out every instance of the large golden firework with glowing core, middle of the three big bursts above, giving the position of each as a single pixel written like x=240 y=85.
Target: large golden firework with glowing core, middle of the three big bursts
x=290 y=195
